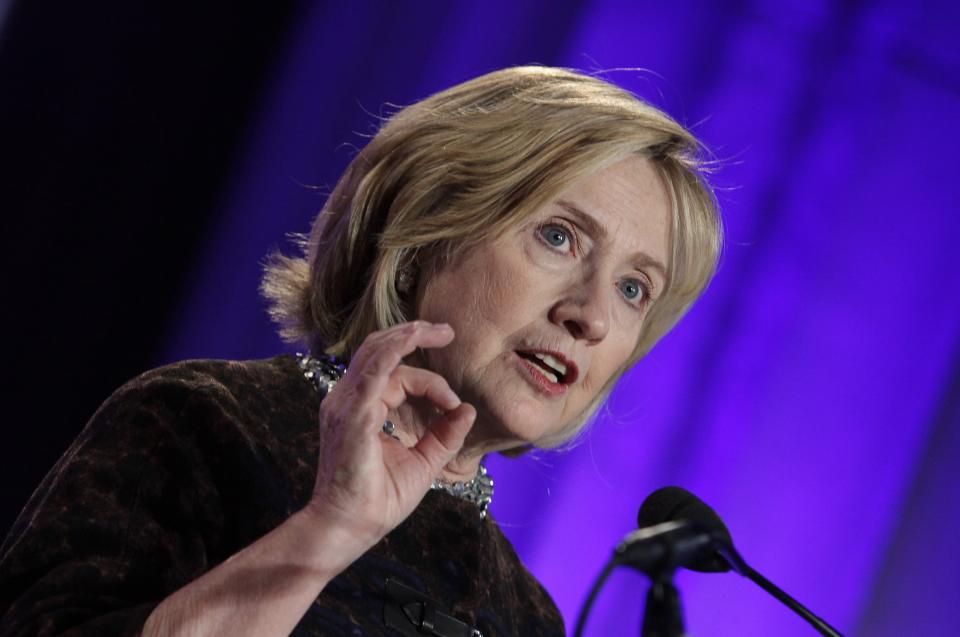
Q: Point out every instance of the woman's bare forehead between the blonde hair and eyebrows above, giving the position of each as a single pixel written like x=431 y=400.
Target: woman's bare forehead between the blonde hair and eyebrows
x=629 y=203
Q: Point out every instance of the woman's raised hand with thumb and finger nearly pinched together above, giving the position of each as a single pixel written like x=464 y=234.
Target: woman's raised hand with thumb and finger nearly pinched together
x=367 y=481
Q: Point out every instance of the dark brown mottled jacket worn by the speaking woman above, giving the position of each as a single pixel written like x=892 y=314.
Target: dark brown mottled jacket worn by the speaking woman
x=187 y=464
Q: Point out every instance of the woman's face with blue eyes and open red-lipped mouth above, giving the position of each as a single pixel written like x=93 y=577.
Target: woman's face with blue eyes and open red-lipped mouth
x=545 y=315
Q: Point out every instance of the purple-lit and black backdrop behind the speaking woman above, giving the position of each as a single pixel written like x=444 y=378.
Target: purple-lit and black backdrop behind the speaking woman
x=813 y=395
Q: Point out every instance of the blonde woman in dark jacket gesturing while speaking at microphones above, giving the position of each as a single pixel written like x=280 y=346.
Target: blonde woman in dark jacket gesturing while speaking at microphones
x=489 y=265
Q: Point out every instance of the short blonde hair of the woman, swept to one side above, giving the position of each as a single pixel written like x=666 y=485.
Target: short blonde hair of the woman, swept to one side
x=467 y=164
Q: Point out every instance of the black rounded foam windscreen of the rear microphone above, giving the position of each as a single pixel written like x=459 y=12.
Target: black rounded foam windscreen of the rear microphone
x=671 y=504
